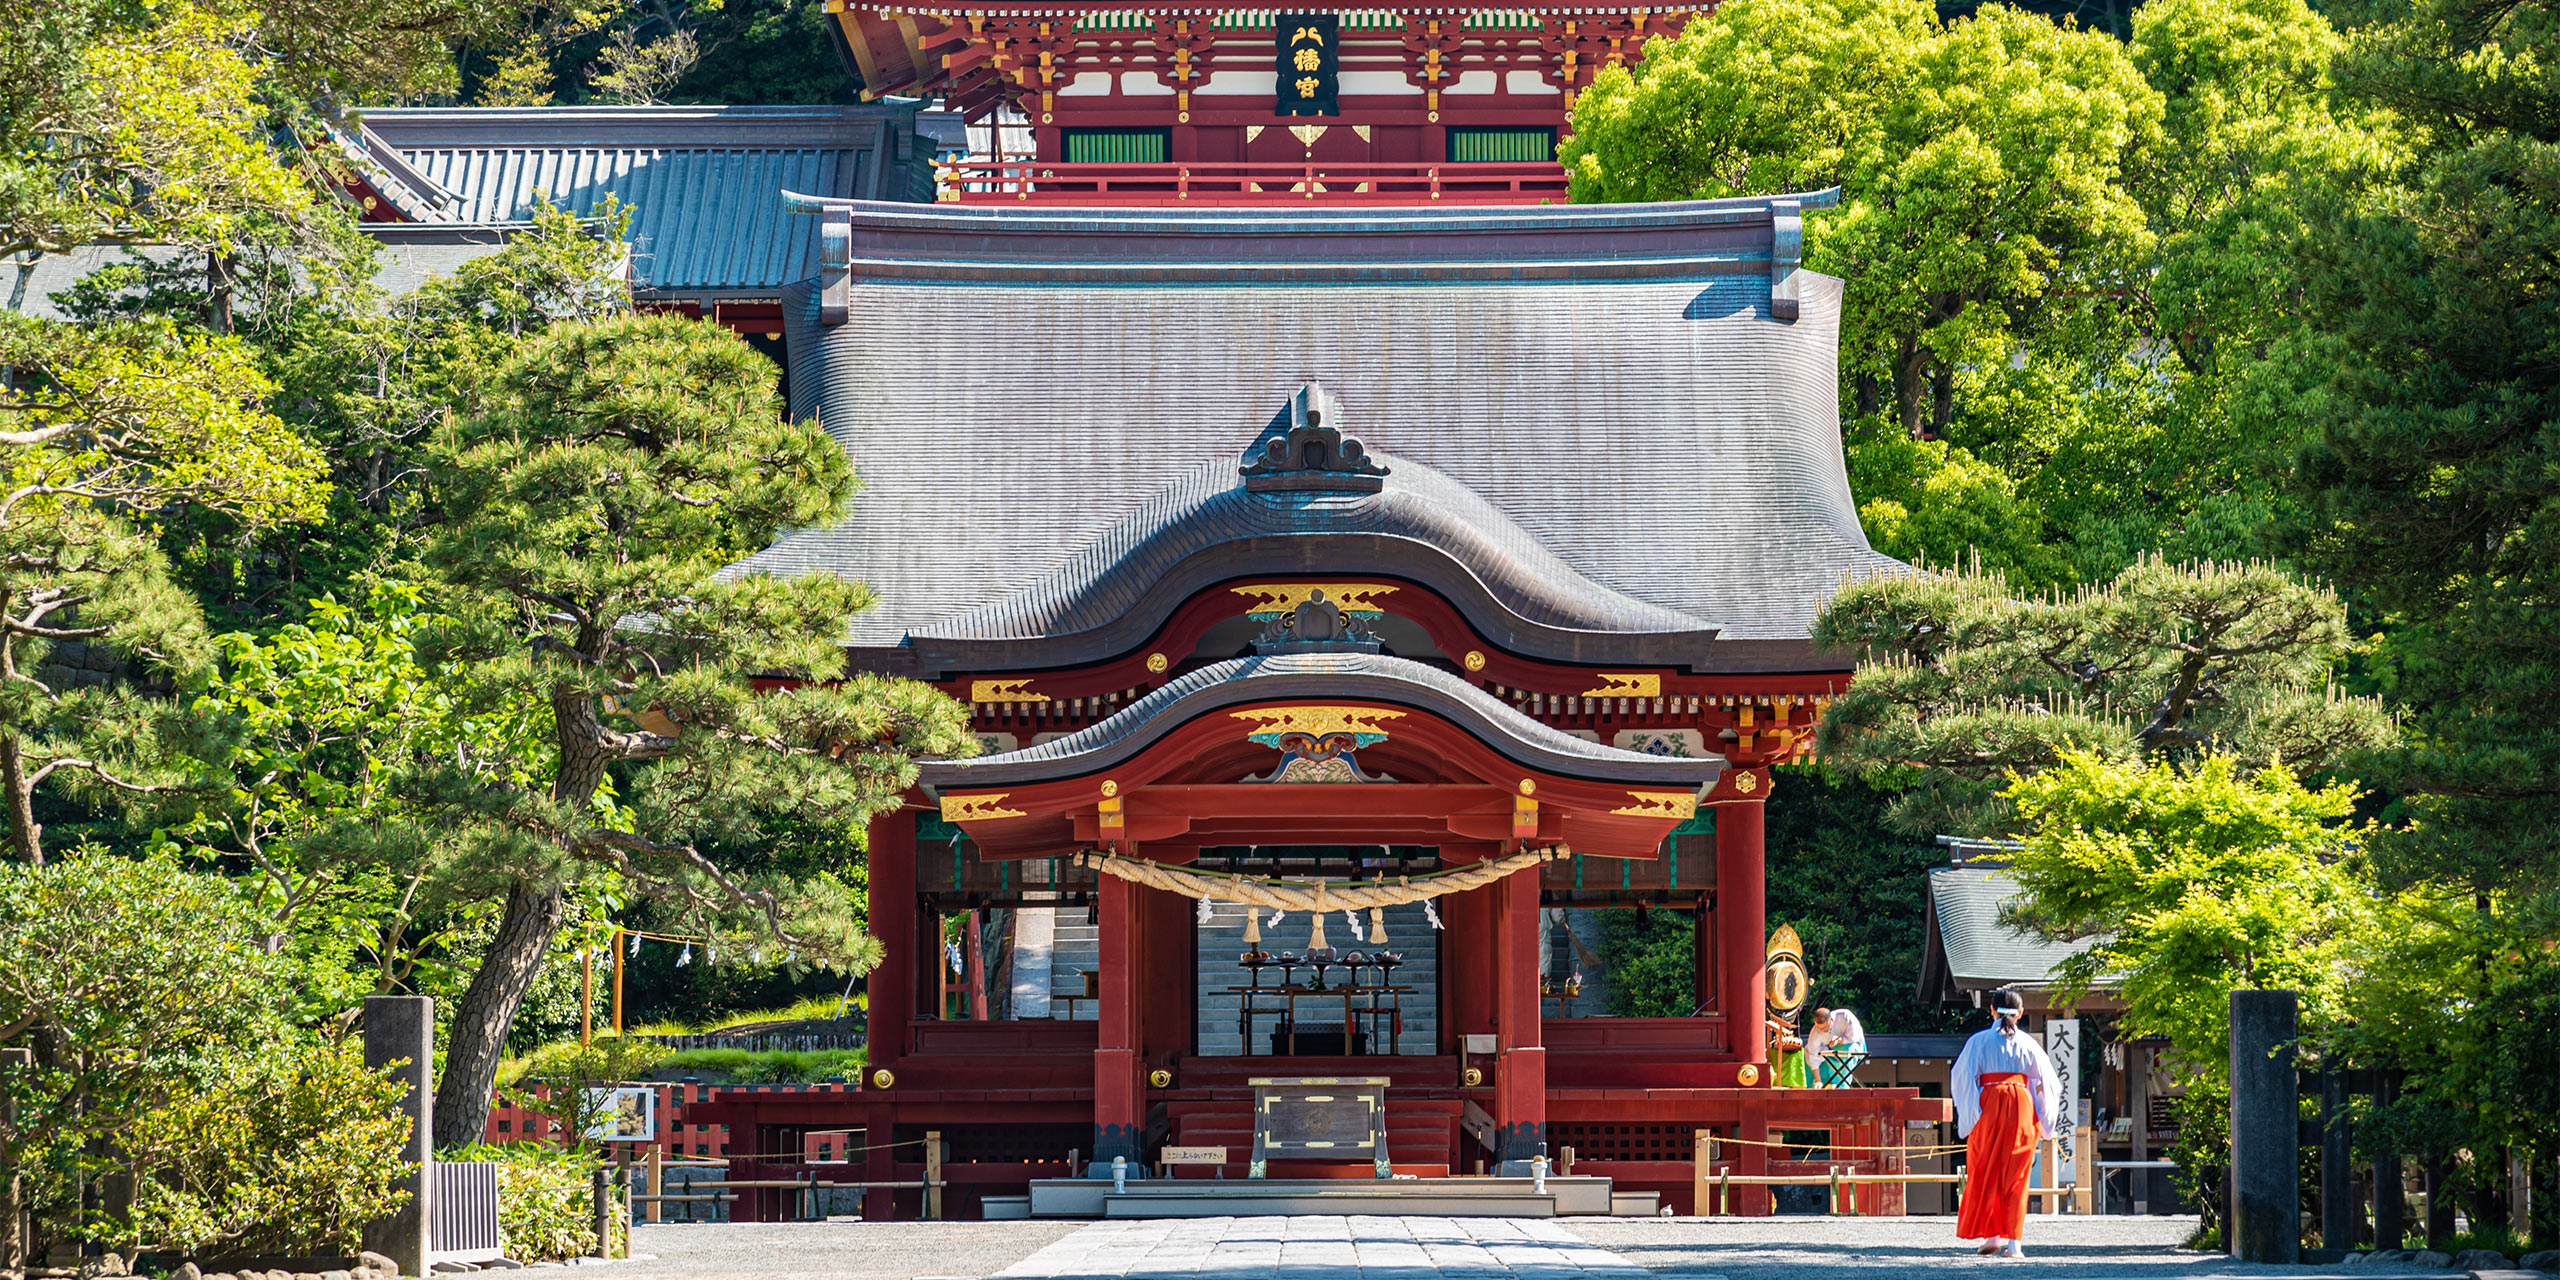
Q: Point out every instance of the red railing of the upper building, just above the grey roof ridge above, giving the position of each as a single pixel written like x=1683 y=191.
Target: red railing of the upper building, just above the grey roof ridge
x=1235 y=183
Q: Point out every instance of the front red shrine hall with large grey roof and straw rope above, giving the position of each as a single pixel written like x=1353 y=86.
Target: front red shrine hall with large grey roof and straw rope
x=1448 y=562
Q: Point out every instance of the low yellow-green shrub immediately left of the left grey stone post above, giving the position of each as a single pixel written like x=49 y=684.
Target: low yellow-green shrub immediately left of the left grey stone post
x=288 y=1153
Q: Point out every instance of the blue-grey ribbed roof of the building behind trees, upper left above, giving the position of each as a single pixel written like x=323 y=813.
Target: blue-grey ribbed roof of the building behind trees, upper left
x=703 y=183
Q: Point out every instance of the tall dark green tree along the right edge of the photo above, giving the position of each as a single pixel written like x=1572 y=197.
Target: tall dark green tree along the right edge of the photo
x=2428 y=490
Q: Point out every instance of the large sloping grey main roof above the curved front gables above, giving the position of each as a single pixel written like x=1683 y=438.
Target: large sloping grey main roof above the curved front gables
x=1612 y=380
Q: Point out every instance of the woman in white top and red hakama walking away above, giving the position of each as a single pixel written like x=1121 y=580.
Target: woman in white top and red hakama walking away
x=2006 y=1100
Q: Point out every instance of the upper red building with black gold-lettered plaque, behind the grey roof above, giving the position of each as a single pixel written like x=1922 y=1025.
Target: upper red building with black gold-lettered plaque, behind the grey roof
x=1217 y=106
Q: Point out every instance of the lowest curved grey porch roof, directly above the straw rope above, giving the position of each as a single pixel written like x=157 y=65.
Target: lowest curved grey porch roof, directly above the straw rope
x=1371 y=677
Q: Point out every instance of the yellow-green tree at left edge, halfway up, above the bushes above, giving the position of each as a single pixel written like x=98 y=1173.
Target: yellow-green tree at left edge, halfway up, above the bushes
x=96 y=426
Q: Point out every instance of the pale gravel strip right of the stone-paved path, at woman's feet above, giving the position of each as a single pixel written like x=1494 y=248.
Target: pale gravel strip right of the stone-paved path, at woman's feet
x=1793 y=1248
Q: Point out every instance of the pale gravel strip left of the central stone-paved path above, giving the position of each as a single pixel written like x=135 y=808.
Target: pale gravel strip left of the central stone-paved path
x=833 y=1251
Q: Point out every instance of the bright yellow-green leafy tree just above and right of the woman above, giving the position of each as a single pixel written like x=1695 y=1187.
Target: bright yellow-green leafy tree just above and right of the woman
x=2198 y=882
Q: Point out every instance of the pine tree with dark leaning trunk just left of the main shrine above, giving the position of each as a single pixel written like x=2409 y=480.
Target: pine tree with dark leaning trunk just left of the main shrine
x=582 y=534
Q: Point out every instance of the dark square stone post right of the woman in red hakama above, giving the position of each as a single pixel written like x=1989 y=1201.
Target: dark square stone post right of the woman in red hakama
x=2267 y=1130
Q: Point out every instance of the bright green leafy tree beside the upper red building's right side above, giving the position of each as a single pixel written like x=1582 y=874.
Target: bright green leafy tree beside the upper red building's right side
x=1983 y=168
